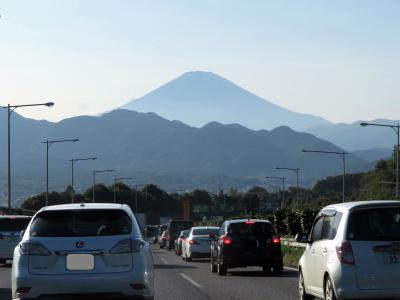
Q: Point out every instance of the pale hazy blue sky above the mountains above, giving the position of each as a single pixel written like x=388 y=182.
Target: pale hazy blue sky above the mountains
x=336 y=59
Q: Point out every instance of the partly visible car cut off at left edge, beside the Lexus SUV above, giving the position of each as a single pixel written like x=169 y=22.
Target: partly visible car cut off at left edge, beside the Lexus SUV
x=10 y=234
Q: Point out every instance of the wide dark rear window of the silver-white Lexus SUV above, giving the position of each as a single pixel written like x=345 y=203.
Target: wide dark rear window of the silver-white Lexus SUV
x=71 y=223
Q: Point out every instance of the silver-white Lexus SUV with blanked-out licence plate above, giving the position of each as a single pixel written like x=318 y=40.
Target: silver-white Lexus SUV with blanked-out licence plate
x=86 y=250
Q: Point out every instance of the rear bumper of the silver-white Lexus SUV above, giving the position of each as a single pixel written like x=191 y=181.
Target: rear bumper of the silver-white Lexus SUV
x=85 y=286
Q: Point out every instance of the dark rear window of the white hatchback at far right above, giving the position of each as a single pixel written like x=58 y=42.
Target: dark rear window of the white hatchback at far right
x=378 y=224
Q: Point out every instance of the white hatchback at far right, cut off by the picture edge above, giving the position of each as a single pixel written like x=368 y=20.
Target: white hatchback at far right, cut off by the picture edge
x=353 y=252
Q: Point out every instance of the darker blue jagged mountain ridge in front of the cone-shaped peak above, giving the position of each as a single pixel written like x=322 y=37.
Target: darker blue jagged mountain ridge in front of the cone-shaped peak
x=153 y=148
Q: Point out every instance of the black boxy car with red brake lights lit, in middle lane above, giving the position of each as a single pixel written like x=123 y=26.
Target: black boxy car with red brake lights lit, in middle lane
x=243 y=243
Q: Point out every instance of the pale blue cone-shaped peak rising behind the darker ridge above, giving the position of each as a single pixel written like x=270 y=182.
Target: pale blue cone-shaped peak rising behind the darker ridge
x=197 y=98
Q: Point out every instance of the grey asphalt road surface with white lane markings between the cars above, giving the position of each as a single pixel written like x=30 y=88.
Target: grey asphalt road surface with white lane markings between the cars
x=176 y=279
